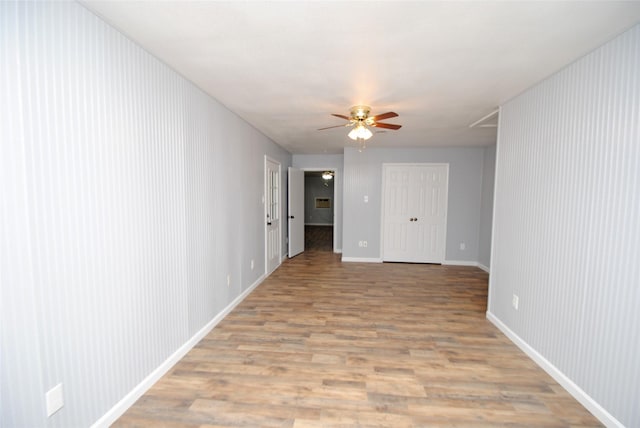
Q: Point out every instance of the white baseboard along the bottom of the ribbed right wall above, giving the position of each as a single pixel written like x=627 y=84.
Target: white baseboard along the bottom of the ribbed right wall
x=589 y=403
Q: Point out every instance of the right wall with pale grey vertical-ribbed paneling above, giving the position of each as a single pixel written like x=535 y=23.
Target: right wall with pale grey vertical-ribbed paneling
x=567 y=237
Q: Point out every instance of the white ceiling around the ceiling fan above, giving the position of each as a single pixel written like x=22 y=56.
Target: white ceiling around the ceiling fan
x=441 y=65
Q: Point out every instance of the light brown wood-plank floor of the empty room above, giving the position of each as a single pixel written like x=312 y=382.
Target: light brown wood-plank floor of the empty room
x=327 y=344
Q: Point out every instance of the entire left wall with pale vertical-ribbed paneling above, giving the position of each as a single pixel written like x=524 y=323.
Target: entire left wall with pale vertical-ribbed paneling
x=128 y=195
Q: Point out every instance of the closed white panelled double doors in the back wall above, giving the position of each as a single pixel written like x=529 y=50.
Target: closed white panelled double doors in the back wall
x=415 y=212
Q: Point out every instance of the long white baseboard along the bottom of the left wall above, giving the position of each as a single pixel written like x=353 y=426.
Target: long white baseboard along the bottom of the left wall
x=123 y=405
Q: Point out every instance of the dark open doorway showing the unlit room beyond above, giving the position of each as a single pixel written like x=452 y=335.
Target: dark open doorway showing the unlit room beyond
x=319 y=210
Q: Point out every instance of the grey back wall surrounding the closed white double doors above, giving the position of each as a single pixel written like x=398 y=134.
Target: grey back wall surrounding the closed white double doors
x=363 y=176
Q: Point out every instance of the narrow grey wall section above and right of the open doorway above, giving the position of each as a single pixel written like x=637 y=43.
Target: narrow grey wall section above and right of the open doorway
x=334 y=163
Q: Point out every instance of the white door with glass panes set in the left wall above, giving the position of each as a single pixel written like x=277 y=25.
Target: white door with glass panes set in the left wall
x=272 y=213
